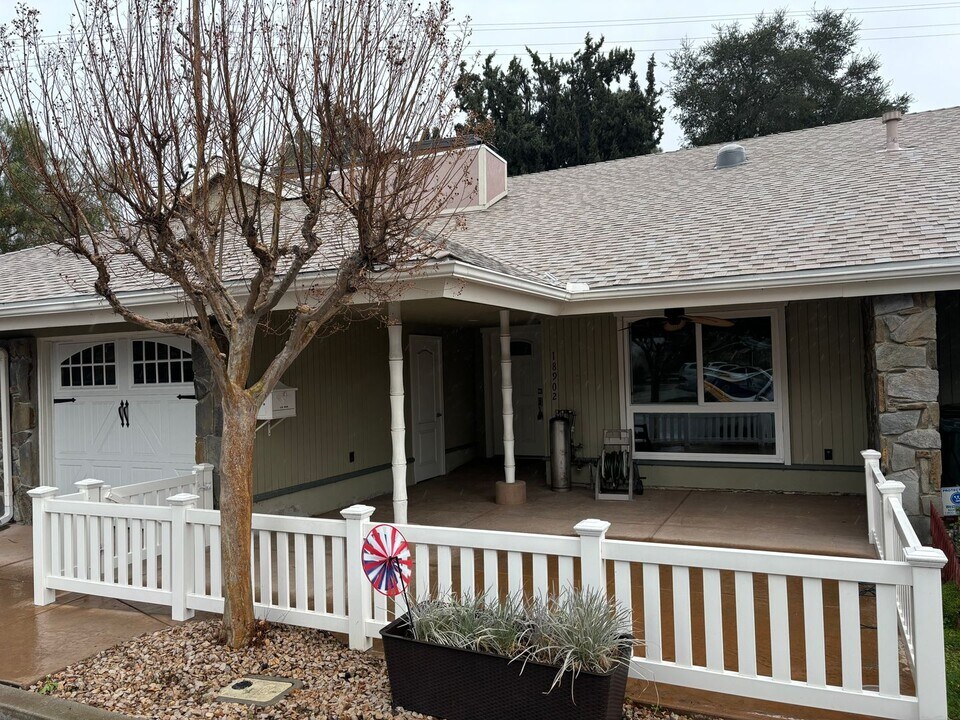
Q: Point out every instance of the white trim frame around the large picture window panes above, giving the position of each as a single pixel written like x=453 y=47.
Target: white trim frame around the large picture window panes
x=779 y=406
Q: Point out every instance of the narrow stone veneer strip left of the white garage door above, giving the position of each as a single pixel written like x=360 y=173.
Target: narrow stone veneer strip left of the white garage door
x=25 y=450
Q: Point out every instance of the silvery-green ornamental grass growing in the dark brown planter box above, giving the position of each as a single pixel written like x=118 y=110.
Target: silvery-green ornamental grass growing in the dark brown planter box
x=576 y=630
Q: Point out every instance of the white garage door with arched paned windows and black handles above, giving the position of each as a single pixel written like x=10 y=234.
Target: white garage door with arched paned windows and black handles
x=124 y=410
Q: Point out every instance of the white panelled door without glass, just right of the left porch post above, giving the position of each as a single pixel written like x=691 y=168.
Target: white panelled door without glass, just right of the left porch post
x=426 y=406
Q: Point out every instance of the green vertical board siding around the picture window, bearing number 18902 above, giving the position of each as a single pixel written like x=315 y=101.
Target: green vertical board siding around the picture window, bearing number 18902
x=827 y=409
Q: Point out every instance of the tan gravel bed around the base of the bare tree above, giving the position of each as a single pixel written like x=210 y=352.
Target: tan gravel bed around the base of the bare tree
x=176 y=673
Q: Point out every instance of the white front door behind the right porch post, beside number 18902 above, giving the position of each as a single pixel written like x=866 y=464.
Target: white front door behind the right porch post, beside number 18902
x=527 y=373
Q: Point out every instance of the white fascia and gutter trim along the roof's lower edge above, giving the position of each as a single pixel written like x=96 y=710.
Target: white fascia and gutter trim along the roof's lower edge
x=458 y=280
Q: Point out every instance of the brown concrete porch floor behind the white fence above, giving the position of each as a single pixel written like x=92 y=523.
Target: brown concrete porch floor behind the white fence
x=816 y=524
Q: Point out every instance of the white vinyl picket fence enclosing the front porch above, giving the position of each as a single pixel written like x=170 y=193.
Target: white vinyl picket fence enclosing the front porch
x=810 y=630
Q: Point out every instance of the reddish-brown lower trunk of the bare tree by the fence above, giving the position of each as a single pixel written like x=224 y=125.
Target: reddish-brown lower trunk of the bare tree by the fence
x=236 y=509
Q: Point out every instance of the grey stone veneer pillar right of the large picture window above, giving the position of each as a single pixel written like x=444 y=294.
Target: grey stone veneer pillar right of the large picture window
x=903 y=371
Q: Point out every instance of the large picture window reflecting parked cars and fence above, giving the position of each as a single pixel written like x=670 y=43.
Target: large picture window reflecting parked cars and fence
x=707 y=387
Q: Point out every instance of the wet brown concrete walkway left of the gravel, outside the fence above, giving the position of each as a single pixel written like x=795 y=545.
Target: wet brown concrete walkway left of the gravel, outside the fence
x=41 y=640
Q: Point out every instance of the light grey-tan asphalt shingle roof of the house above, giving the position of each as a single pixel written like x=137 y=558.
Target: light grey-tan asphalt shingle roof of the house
x=827 y=197
